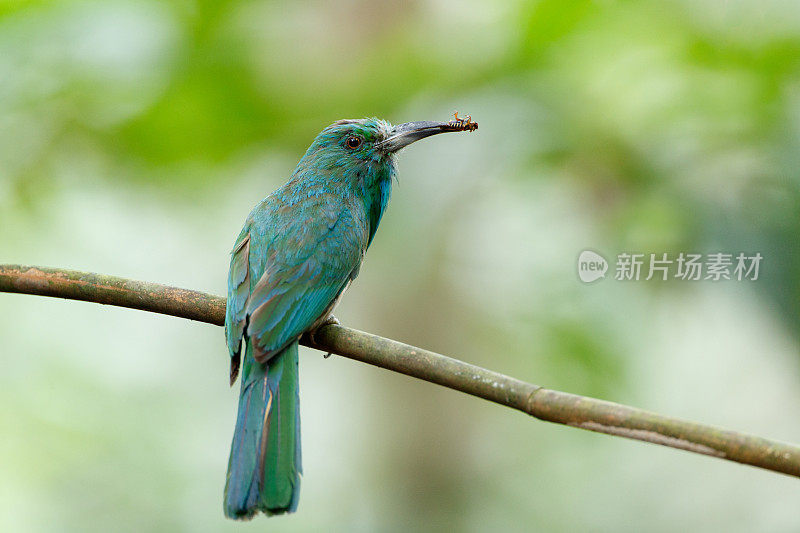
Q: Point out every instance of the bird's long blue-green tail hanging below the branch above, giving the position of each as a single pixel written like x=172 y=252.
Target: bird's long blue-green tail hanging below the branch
x=264 y=466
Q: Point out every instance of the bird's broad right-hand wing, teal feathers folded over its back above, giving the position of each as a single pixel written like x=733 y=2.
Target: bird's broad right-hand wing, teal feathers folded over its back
x=308 y=264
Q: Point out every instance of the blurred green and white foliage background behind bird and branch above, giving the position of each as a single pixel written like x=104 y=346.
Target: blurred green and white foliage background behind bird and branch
x=135 y=136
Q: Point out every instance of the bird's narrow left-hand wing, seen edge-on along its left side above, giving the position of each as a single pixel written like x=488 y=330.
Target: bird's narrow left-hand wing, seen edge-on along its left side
x=238 y=293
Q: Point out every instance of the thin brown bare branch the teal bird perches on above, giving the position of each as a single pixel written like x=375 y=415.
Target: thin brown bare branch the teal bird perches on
x=544 y=404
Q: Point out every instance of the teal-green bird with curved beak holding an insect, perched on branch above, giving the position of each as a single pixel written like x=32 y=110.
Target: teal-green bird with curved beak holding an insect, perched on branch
x=299 y=250
